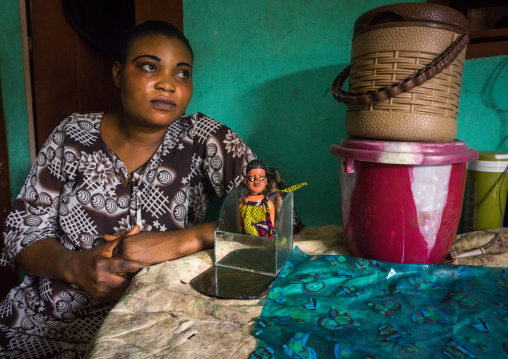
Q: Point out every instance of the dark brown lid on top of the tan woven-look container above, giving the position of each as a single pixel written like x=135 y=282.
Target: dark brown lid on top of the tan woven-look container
x=420 y=14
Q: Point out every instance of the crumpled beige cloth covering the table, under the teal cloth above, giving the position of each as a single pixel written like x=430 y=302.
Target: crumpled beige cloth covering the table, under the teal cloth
x=161 y=316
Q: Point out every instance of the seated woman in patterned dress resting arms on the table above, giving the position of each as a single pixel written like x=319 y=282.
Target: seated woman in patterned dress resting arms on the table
x=143 y=175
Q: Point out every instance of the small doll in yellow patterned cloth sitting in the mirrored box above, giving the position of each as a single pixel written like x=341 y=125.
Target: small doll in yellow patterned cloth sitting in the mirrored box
x=256 y=213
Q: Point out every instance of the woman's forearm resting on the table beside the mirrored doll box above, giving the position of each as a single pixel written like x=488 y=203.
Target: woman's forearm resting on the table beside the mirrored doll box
x=156 y=247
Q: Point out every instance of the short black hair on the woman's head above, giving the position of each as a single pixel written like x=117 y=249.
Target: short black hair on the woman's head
x=152 y=27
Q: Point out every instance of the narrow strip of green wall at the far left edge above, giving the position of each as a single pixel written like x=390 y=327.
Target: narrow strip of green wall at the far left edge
x=14 y=95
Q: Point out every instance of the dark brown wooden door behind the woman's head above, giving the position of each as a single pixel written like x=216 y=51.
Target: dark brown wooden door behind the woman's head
x=68 y=74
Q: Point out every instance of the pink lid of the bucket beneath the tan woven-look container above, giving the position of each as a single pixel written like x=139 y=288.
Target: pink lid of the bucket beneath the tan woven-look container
x=404 y=153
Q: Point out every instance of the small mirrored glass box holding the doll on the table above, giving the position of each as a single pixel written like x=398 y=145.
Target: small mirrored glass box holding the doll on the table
x=246 y=265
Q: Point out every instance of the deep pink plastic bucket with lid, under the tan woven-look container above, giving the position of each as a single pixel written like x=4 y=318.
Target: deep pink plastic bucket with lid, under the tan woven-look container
x=401 y=201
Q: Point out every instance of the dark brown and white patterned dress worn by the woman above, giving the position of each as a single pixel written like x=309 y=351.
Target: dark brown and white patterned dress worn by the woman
x=77 y=191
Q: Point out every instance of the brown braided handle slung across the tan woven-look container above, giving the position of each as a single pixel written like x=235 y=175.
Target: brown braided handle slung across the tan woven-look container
x=395 y=89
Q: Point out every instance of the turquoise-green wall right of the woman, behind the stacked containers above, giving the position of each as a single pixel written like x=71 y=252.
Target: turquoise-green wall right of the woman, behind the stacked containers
x=265 y=68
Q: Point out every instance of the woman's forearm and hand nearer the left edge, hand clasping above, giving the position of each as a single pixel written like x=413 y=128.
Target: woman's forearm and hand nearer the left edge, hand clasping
x=93 y=270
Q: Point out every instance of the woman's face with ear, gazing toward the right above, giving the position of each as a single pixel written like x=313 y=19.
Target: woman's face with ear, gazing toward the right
x=155 y=81
